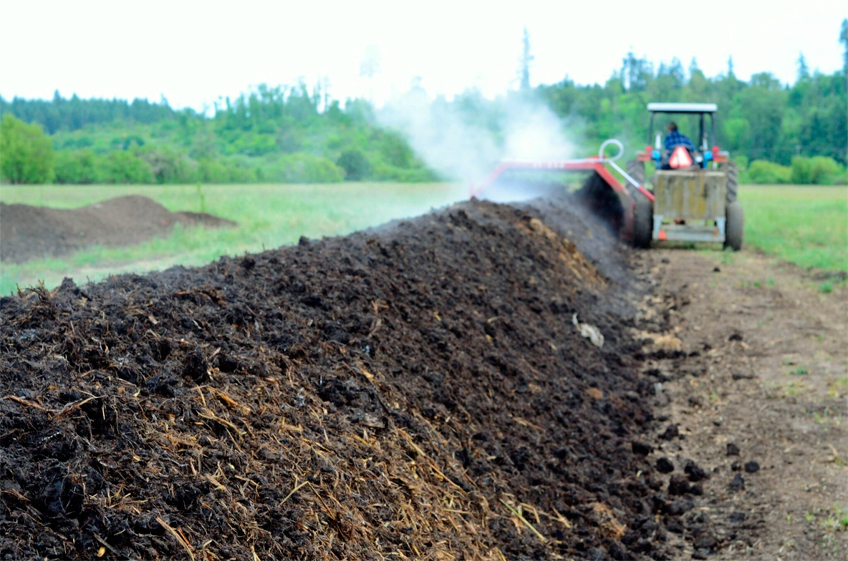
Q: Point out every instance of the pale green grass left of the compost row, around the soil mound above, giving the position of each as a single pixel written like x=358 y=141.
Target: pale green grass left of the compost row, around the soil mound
x=268 y=215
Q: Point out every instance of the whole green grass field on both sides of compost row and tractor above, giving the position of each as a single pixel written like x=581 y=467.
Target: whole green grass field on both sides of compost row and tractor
x=804 y=225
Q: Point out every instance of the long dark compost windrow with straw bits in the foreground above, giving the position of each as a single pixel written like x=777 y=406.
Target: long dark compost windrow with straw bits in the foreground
x=436 y=389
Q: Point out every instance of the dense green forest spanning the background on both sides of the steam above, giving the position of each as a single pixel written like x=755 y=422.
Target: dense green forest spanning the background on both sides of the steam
x=778 y=133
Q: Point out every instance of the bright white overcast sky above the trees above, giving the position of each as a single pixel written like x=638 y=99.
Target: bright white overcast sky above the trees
x=195 y=52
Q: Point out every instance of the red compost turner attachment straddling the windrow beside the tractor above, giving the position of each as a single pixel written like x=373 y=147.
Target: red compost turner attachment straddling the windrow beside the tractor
x=621 y=203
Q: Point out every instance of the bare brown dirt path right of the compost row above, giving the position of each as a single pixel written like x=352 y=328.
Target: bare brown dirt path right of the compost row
x=755 y=376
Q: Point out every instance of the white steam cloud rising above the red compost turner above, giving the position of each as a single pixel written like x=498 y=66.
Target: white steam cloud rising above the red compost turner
x=466 y=139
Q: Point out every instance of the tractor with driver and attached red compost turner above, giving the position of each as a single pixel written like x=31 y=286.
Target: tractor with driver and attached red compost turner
x=692 y=198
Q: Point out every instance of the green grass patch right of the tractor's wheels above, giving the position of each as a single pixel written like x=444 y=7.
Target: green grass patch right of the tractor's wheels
x=803 y=224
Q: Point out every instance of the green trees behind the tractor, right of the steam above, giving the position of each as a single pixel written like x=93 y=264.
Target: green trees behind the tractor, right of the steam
x=759 y=119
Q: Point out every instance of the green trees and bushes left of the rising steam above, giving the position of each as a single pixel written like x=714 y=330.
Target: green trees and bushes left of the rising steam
x=280 y=134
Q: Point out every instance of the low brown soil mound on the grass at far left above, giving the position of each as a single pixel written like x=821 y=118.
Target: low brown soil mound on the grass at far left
x=29 y=232
